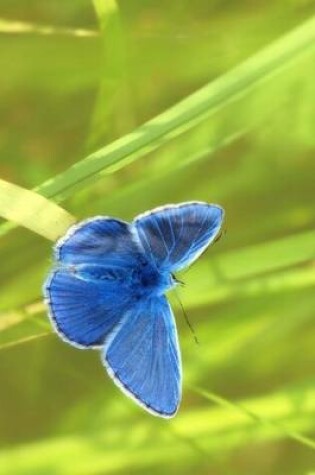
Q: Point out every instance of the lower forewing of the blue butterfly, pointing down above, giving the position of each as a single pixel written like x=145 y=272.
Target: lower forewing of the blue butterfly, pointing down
x=143 y=357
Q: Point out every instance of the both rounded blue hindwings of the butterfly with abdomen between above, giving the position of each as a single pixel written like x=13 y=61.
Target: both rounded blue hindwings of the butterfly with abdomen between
x=88 y=292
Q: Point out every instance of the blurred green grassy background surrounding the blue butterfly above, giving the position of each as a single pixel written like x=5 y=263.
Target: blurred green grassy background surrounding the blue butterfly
x=76 y=76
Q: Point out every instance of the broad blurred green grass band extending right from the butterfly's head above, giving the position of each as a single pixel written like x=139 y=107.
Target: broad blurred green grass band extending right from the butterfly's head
x=252 y=270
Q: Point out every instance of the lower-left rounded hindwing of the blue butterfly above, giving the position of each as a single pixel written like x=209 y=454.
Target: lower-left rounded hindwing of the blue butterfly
x=82 y=310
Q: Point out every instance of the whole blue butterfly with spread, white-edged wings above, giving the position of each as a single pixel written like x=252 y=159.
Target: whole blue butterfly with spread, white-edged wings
x=107 y=291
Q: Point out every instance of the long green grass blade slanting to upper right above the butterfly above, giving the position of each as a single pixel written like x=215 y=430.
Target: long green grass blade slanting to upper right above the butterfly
x=184 y=115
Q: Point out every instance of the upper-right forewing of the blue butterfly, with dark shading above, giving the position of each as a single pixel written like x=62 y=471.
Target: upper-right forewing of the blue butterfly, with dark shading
x=174 y=236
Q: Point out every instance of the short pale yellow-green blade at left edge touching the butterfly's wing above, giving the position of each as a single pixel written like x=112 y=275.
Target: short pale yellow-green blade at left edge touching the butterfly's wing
x=33 y=211
